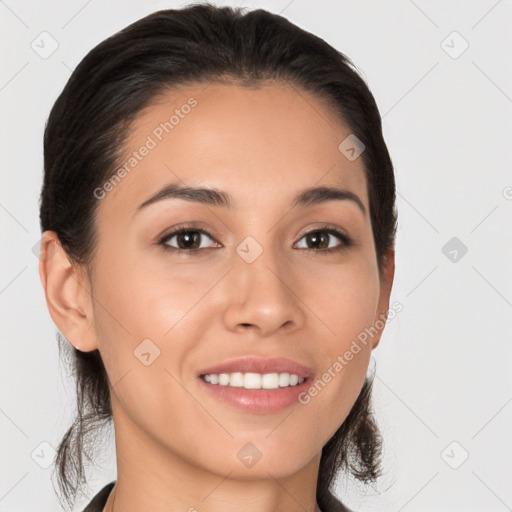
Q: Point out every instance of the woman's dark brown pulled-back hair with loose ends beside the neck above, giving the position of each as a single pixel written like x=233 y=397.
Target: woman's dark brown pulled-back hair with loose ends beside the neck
x=91 y=119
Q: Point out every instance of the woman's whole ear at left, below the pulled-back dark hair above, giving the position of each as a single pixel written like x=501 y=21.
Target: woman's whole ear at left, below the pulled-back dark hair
x=67 y=293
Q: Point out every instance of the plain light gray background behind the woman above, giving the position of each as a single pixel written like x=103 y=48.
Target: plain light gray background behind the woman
x=443 y=365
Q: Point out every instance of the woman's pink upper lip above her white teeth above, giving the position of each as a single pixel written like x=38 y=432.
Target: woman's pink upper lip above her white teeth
x=259 y=365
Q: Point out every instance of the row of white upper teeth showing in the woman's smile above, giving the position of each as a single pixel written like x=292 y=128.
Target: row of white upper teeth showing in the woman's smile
x=255 y=380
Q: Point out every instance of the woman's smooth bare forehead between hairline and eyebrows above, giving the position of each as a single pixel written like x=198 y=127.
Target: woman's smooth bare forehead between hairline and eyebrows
x=260 y=145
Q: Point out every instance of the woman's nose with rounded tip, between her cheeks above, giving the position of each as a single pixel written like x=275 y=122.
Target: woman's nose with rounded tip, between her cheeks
x=263 y=295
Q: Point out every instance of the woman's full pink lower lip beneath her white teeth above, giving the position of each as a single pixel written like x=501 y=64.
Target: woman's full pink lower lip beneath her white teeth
x=258 y=400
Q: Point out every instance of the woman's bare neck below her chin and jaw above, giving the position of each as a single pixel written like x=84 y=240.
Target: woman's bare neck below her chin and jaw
x=150 y=476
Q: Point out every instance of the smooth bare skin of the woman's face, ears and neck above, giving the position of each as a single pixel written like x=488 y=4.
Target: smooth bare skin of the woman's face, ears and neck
x=176 y=444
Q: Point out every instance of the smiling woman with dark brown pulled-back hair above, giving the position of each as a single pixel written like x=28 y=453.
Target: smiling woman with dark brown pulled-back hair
x=218 y=218
